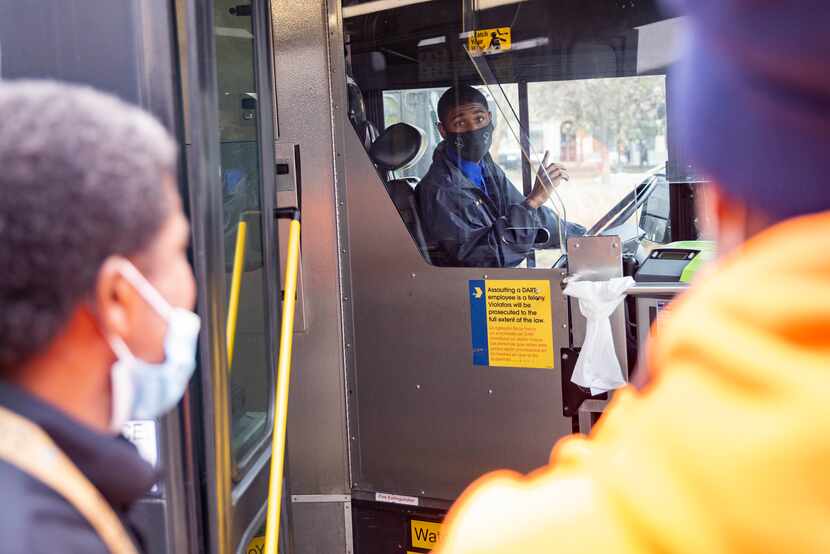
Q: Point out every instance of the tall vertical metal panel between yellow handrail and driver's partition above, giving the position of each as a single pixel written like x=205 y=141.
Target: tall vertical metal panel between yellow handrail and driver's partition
x=317 y=413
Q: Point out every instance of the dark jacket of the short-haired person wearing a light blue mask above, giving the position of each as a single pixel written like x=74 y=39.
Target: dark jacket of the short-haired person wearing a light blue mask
x=34 y=519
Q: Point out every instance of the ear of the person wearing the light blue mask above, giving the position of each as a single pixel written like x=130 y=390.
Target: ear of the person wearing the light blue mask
x=115 y=300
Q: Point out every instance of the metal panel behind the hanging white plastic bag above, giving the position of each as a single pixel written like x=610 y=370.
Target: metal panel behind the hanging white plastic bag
x=597 y=259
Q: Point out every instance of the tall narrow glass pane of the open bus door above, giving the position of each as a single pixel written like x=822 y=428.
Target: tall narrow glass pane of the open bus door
x=249 y=359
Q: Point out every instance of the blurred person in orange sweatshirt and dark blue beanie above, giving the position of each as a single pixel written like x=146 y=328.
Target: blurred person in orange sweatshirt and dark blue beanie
x=723 y=445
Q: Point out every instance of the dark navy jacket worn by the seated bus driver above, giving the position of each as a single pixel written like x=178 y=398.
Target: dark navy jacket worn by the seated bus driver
x=474 y=229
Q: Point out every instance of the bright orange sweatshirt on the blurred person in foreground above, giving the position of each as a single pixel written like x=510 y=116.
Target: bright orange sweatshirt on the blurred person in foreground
x=727 y=449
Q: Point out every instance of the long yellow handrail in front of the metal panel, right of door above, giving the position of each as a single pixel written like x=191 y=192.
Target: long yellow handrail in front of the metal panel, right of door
x=272 y=523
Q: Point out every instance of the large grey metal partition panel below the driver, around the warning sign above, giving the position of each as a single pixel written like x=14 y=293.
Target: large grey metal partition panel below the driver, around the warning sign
x=428 y=421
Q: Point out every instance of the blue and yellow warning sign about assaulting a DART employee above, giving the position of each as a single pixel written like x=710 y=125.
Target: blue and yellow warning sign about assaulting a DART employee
x=511 y=323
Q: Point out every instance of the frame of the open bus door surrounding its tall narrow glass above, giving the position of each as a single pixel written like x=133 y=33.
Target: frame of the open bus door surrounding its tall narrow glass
x=234 y=501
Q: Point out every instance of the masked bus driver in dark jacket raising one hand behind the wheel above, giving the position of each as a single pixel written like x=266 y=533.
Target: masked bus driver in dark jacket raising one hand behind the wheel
x=468 y=206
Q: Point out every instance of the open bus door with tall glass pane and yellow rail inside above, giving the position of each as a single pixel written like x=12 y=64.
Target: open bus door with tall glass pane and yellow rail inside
x=229 y=135
